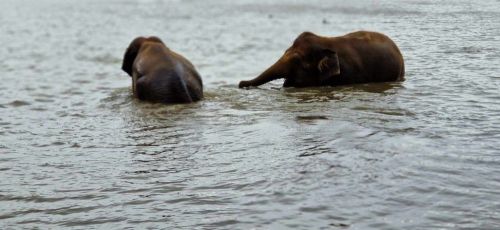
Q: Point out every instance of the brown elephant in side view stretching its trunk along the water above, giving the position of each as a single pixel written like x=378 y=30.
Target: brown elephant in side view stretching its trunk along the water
x=358 y=57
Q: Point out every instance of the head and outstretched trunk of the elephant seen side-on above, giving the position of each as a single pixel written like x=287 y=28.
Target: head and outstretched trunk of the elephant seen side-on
x=308 y=62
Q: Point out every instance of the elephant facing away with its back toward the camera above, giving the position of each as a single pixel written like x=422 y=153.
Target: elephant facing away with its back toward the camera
x=160 y=74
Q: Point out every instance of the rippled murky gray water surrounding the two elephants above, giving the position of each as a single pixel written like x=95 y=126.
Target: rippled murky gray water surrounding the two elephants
x=77 y=151
